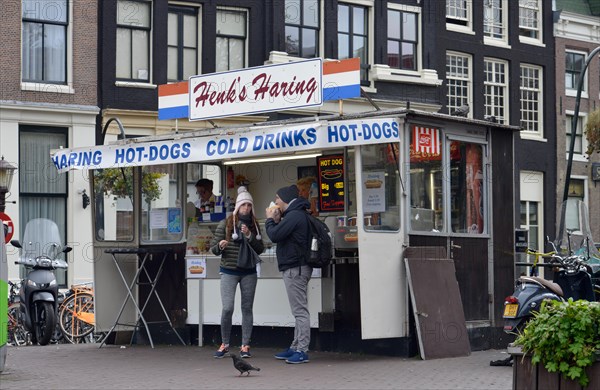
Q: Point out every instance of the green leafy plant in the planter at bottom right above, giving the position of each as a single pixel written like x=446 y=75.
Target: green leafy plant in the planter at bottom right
x=564 y=337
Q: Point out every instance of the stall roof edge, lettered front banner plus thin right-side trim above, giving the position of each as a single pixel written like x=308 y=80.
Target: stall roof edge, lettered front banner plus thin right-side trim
x=289 y=136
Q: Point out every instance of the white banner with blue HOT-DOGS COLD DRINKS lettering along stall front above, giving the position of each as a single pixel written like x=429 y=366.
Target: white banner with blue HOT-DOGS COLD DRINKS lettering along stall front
x=255 y=142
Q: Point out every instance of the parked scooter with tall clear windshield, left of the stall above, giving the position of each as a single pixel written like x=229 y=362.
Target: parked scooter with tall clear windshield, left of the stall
x=39 y=290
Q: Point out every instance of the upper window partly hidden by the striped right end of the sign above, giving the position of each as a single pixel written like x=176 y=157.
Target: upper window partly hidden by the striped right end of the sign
x=353 y=36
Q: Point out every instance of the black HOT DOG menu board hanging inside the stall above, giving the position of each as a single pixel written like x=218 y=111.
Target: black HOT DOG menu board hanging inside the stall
x=331 y=182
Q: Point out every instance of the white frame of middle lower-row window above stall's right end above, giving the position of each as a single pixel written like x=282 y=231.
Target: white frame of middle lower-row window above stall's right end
x=491 y=109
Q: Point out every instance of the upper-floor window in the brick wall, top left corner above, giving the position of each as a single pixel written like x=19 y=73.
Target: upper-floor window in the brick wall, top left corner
x=44 y=41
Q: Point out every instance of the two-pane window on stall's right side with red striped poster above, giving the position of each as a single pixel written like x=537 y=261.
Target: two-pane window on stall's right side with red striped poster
x=446 y=196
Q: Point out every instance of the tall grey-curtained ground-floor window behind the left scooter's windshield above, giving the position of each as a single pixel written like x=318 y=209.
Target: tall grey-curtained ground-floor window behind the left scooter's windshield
x=43 y=191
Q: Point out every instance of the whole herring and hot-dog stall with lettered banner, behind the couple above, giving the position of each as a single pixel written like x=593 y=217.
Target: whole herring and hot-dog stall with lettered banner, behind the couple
x=386 y=181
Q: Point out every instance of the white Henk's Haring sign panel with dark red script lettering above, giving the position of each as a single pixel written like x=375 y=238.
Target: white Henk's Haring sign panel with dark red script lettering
x=254 y=90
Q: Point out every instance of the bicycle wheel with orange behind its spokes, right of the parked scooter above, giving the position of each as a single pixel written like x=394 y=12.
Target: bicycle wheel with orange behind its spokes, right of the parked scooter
x=76 y=317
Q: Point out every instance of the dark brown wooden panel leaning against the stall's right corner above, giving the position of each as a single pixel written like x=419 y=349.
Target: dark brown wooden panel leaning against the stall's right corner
x=437 y=308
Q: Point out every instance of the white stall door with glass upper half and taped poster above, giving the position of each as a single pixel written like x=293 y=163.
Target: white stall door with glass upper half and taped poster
x=383 y=287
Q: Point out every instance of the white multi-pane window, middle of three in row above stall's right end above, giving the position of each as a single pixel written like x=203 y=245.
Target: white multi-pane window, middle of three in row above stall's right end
x=496 y=90
